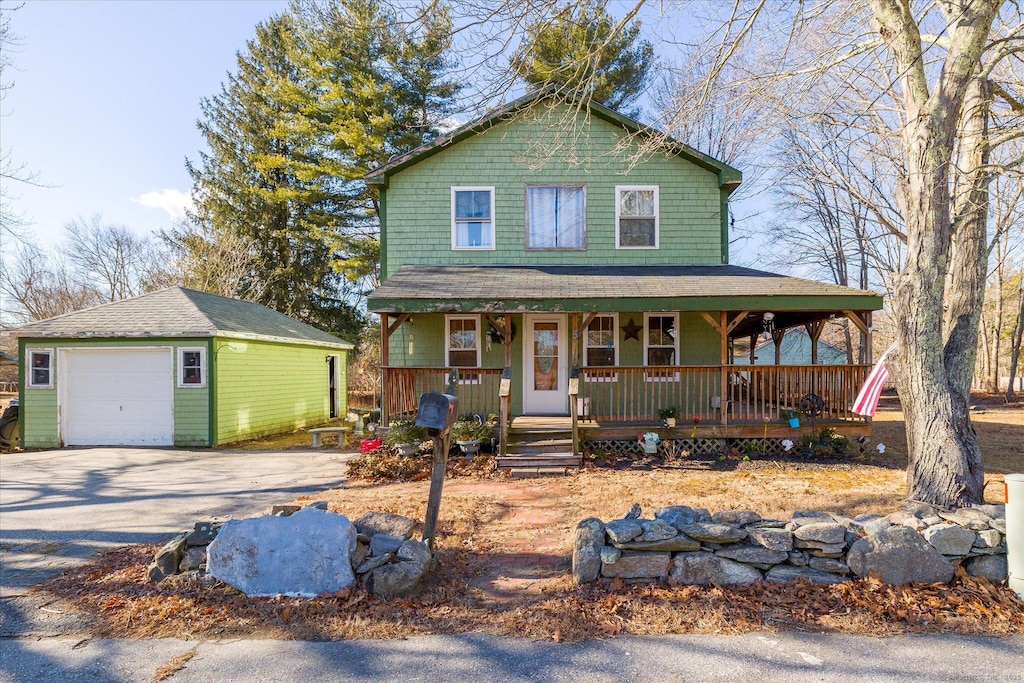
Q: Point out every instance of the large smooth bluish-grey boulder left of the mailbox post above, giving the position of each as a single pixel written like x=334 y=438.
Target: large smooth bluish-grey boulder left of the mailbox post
x=304 y=556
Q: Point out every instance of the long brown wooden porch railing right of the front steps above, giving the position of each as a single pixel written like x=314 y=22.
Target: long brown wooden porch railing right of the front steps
x=753 y=393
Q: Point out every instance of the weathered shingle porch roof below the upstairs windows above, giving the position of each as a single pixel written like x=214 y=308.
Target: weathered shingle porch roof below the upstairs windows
x=575 y=283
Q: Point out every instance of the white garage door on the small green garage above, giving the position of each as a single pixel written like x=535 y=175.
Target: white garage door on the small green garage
x=119 y=398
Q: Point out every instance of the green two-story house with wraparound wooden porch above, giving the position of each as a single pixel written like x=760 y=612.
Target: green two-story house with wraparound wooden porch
x=587 y=258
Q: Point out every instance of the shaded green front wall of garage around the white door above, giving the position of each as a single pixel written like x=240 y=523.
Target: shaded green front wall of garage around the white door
x=40 y=417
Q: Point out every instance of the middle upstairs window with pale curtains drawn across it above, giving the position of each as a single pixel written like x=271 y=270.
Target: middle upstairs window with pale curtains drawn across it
x=557 y=217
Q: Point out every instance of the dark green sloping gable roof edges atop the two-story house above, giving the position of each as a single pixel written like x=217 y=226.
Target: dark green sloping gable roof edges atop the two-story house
x=729 y=178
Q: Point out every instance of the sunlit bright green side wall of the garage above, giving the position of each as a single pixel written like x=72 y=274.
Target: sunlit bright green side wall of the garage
x=266 y=389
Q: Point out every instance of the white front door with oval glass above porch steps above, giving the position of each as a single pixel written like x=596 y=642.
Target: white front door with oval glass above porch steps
x=545 y=357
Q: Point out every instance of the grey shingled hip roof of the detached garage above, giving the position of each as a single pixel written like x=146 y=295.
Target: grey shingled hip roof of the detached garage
x=178 y=312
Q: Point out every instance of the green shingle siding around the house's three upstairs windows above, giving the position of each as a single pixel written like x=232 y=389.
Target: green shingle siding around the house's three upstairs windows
x=532 y=150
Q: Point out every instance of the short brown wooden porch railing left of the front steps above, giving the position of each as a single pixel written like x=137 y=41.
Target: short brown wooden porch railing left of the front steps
x=478 y=390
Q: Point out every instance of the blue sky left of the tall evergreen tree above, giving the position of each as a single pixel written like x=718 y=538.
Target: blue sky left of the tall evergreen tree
x=105 y=104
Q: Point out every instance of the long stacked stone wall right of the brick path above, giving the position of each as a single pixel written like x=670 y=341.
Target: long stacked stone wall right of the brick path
x=691 y=546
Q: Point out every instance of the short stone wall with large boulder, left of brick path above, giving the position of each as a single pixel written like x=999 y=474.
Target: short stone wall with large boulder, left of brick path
x=383 y=556
